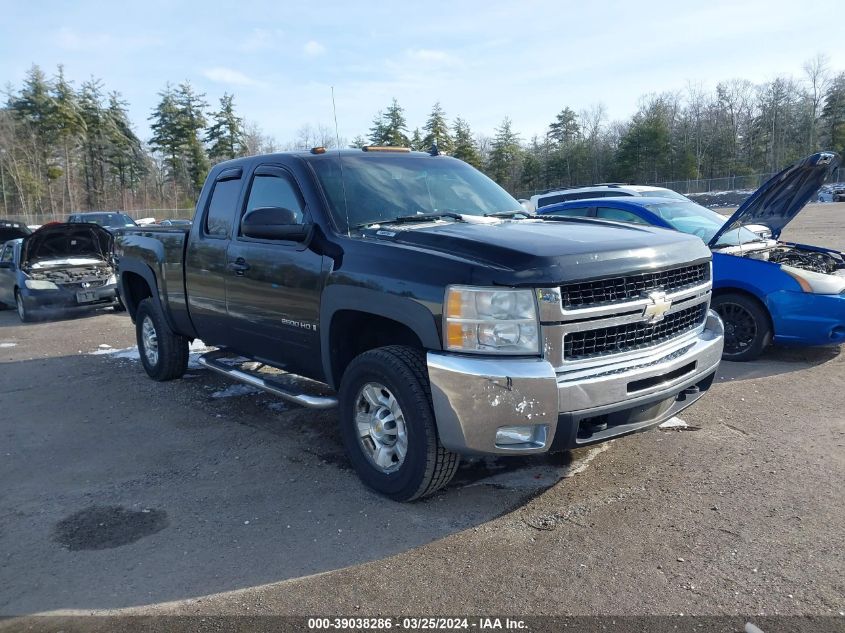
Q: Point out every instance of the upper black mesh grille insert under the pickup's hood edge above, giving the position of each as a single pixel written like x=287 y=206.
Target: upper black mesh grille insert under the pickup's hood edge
x=631 y=287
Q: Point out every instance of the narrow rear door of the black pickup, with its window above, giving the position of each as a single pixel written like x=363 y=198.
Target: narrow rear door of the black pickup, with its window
x=205 y=259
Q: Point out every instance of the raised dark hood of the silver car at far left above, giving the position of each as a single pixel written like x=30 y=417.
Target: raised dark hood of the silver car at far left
x=63 y=241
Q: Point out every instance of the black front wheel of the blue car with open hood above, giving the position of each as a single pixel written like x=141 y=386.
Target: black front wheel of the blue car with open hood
x=748 y=329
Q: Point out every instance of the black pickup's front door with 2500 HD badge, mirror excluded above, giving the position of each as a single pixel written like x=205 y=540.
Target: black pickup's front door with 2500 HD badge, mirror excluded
x=273 y=286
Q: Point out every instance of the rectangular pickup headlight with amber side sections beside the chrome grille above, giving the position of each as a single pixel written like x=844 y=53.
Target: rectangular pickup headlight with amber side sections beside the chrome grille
x=489 y=320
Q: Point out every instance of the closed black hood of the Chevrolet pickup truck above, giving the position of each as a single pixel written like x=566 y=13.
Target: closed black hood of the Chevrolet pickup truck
x=533 y=251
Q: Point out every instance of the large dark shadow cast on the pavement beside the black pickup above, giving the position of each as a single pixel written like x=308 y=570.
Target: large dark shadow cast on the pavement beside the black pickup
x=119 y=491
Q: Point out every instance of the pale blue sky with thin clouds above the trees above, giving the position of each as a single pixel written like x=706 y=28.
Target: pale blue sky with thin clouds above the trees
x=483 y=61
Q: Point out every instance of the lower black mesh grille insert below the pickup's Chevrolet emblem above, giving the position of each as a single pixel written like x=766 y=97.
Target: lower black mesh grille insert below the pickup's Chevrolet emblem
x=631 y=336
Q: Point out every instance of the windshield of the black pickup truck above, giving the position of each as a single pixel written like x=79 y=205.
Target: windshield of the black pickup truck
x=378 y=188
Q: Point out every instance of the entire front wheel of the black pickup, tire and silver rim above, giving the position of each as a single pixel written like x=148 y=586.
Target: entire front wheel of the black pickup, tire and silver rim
x=388 y=427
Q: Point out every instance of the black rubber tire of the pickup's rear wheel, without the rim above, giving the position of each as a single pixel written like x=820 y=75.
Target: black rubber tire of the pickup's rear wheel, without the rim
x=171 y=359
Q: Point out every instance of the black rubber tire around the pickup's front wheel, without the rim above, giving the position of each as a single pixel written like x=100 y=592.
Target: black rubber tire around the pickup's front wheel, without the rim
x=427 y=466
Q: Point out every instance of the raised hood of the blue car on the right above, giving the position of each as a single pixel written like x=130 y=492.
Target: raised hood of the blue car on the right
x=782 y=196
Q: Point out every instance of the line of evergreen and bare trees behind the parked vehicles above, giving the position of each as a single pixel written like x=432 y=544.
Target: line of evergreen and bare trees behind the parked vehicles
x=64 y=148
